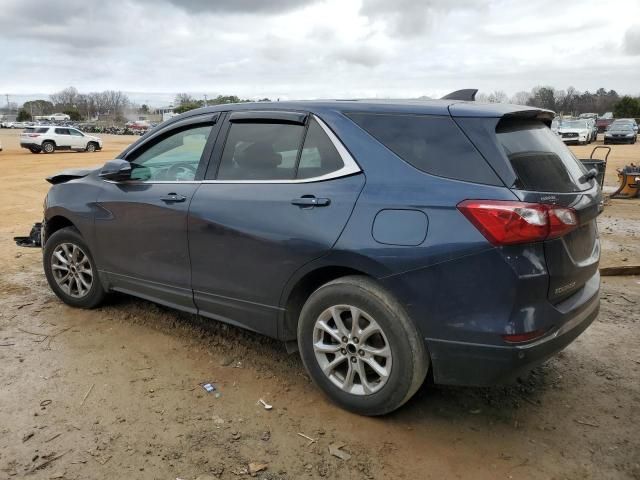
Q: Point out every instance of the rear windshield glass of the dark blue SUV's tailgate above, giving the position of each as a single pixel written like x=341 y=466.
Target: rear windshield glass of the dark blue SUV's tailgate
x=539 y=158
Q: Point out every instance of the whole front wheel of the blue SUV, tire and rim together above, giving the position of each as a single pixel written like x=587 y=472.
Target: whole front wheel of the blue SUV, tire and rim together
x=83 y=291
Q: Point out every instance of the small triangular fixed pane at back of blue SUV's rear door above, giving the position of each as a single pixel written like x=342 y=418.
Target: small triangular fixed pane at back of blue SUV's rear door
x=319 y=156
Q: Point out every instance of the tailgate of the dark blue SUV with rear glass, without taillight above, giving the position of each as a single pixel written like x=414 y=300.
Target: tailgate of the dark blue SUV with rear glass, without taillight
x=536 y=165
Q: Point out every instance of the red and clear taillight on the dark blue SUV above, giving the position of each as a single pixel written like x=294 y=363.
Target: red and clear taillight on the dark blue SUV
x=508 y=223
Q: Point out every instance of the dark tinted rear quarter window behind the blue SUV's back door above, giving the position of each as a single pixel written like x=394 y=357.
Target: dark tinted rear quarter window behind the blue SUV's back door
x=430 y=143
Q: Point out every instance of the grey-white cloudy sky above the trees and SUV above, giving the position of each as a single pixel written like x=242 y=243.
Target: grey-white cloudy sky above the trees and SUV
x=317 y=48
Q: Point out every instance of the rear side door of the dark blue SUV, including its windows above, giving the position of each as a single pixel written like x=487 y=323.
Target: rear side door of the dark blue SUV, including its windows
x=277 y=196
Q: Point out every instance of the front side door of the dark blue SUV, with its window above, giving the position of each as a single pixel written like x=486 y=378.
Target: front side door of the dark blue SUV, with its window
x=141 y=233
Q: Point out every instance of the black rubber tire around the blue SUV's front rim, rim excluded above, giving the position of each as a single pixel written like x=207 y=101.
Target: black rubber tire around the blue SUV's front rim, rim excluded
x=70 y=236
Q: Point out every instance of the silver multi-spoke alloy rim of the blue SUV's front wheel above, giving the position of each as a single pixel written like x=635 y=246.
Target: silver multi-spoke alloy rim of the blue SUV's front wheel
x=72 y=270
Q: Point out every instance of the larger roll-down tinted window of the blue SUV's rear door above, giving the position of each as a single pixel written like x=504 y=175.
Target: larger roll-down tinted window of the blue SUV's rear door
x=261 y=151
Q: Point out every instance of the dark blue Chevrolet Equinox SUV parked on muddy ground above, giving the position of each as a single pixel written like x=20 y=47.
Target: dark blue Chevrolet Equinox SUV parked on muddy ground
x=383 y=240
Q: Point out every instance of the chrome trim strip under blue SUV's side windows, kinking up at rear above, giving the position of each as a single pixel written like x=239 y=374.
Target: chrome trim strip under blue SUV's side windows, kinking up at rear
x=350 y=167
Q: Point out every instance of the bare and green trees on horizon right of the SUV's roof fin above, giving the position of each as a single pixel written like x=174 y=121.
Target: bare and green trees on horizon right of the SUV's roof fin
x=570 y=101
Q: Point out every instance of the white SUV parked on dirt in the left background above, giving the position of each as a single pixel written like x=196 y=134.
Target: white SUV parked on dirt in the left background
x=48 y=139
